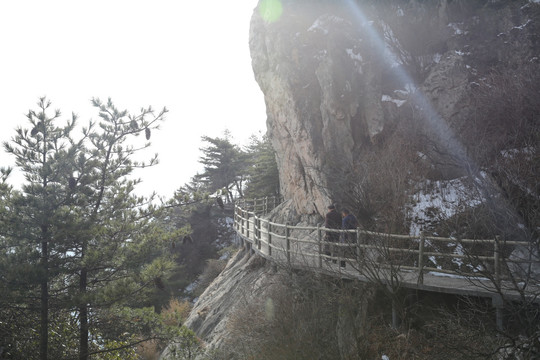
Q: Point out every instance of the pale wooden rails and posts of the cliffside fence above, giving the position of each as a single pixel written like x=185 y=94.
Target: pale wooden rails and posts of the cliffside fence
x=265 y=234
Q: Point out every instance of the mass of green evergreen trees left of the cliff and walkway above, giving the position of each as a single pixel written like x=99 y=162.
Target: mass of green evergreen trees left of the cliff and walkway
x=86 y=266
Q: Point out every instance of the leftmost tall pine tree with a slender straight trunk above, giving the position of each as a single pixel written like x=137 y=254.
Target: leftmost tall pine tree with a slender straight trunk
x=37 y=252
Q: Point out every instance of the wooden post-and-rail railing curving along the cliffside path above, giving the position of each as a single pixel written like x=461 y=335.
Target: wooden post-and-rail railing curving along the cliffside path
x=370 y=254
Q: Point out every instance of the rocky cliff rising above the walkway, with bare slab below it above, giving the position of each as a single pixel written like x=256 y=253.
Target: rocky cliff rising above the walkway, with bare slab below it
x=367 y=99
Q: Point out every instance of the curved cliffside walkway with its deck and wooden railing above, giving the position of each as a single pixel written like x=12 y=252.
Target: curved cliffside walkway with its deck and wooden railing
x=469 y=267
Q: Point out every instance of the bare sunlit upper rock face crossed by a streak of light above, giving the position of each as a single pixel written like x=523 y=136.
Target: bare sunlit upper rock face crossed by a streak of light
x=339 y=76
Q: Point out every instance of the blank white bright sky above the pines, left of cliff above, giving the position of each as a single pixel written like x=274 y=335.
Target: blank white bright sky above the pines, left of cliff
x=189 y=56
